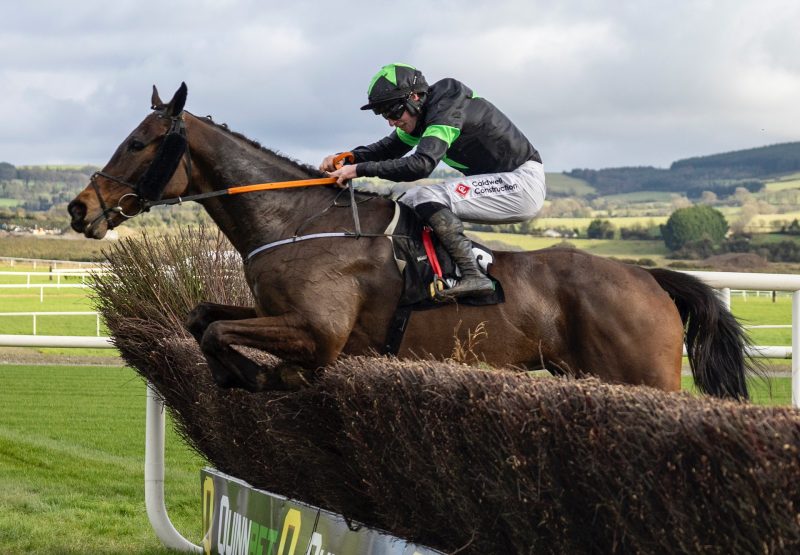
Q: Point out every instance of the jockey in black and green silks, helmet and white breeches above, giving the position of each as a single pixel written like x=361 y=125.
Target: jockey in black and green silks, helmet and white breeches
x=447 y=122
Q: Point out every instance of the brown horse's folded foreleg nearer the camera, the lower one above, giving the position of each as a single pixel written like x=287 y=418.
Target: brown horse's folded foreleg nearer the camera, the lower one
x=302 y=346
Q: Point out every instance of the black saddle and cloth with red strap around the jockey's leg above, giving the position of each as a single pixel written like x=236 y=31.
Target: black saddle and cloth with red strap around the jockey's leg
x=427 y=267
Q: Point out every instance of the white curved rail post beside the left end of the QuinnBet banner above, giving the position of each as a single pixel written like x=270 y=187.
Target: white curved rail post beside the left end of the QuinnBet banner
x=154 y=477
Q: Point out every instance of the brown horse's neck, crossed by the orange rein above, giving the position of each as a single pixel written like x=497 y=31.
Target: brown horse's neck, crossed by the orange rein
x=222 y=160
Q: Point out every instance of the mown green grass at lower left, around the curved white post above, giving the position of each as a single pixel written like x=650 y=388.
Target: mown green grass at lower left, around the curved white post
x=71 y=463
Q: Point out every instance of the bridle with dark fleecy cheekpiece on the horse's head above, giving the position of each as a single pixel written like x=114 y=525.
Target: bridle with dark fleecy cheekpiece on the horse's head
x=149 y=187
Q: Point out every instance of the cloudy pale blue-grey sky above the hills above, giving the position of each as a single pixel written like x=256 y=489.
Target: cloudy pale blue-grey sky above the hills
x=593 y=84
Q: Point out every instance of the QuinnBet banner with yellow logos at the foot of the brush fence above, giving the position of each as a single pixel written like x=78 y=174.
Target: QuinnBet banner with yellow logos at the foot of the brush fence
x=241 y=520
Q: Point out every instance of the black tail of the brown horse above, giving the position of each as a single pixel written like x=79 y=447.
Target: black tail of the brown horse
x=715 y=341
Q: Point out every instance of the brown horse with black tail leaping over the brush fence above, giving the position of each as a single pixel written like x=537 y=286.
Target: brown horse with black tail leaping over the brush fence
x=565 y=310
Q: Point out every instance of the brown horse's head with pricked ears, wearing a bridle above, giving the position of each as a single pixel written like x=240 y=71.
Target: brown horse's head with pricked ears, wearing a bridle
x=142 y=169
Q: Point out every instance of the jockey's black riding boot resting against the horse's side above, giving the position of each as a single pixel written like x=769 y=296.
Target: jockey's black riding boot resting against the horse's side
x=450 y=231
